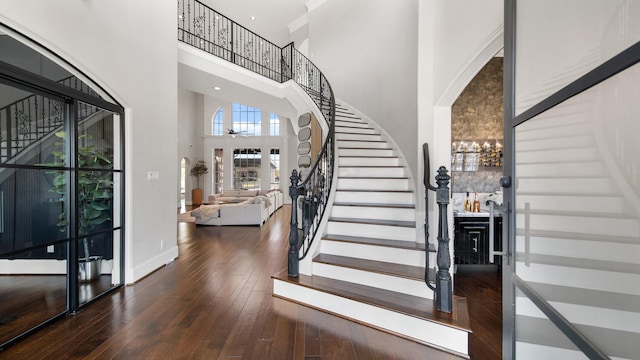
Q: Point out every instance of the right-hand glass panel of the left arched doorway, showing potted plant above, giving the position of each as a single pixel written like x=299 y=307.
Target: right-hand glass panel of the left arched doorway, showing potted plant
x=98 y=201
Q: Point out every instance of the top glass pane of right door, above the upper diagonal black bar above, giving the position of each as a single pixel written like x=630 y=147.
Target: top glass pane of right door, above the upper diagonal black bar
x=570 y=44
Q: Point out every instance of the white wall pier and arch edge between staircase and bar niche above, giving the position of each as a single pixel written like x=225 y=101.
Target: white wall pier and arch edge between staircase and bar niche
x=450 y=55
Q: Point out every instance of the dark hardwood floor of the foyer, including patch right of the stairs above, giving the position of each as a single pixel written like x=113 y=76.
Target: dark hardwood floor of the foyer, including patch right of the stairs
x=215 y=302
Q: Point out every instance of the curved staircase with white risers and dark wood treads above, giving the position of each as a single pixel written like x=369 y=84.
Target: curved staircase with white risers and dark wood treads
x=370 y=265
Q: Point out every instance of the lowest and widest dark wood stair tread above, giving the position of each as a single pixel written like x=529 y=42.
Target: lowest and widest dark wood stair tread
x=405 y=304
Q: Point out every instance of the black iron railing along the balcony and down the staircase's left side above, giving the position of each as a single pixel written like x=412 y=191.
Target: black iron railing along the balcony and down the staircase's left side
x=208 y=30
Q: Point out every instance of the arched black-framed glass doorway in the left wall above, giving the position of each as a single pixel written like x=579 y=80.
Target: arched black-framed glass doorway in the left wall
x=61 y=194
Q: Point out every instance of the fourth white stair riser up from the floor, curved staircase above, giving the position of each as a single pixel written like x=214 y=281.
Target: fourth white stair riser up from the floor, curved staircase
x=371 y=230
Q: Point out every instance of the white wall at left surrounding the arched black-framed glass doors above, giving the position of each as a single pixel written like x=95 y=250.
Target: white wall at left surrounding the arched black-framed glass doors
x=133 y=56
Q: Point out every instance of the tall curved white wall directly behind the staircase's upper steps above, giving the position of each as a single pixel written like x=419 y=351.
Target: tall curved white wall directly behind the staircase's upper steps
x=368 y=50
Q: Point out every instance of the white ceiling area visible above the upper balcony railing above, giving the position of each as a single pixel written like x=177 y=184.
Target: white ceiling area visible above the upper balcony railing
x=272 y=17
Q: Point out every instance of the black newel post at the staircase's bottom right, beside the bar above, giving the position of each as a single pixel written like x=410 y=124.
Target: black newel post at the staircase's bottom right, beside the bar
x=444 y=291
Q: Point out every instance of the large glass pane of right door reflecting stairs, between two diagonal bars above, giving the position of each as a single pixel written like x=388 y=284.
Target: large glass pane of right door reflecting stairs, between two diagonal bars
x=577 y=203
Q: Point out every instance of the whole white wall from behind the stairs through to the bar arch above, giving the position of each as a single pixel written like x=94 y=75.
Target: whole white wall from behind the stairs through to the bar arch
x=403 y=63
